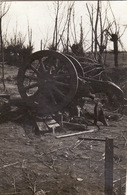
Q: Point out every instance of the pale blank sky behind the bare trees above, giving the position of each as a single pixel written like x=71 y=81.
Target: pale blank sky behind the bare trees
x=40 y=15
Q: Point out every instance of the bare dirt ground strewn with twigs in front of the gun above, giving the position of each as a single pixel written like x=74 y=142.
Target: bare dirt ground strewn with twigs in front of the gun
x=44 y=165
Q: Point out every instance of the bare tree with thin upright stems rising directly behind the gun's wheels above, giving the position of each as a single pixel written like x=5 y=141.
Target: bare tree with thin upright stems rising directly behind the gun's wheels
x=62 y=24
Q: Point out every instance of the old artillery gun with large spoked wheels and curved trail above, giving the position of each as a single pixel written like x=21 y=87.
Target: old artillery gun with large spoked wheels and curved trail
x=49 y=81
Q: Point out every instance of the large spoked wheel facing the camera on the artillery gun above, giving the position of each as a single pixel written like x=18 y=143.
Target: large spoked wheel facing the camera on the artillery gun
x=48 y=81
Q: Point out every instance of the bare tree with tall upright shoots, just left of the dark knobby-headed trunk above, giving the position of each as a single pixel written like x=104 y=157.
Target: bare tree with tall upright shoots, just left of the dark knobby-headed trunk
x=98 y=30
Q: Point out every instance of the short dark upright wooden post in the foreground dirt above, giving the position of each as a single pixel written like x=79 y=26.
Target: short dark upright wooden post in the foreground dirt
x=109 y=166
